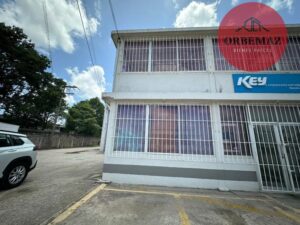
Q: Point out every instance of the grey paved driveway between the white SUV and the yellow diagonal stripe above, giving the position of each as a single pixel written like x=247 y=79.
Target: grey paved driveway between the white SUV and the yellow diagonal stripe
x=60 y=178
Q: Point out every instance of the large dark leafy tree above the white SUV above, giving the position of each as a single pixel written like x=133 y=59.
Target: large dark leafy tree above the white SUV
x=29 y=95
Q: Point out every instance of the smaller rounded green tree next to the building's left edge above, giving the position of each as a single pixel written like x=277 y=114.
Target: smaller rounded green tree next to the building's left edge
x=86 y=117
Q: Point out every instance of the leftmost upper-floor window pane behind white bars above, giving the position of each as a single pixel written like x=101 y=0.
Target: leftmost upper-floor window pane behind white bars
x=135 y=57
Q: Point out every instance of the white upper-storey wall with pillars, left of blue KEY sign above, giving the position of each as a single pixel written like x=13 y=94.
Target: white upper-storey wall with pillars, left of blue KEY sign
x=210 y=81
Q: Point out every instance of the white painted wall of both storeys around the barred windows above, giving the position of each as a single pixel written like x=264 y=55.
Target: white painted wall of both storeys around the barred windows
x=180 y=87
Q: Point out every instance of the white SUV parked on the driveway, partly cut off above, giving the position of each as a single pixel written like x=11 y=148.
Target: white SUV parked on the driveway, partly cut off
x=17 y=158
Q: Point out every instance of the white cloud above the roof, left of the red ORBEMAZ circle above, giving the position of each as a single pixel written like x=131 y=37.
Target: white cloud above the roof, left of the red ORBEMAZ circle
x=197 y=14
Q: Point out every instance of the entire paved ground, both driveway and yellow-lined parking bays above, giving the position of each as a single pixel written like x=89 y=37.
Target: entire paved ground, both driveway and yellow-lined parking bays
x=62 y=190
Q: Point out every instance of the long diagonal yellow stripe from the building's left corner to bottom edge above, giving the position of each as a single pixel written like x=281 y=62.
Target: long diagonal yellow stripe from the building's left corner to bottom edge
x=65 y=214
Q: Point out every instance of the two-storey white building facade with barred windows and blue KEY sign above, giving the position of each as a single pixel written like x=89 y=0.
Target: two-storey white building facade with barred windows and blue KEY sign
x=180 y=115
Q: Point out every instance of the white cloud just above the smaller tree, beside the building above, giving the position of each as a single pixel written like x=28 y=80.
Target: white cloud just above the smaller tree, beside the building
x=91 y=82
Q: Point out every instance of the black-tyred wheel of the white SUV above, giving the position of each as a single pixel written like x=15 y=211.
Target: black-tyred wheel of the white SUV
x=15 y=175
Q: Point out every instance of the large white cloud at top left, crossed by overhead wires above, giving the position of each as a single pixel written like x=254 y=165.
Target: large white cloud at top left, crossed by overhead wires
x=63 y=19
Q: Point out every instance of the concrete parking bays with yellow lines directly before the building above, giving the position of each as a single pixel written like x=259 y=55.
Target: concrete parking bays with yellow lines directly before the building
x=123 y=204
